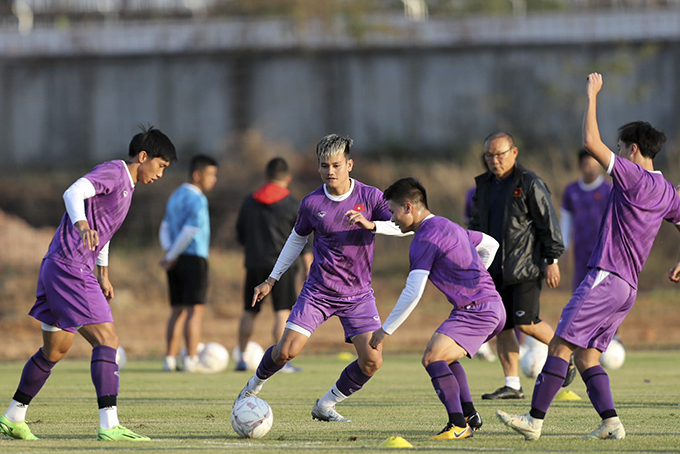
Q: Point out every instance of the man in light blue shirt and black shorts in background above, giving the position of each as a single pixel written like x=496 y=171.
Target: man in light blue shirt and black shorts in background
x=185 y=238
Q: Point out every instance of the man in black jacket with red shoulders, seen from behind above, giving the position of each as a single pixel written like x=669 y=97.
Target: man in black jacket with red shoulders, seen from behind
x=264 y=223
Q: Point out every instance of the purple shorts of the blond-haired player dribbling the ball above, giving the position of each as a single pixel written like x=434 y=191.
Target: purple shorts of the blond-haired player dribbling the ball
x=358 y=314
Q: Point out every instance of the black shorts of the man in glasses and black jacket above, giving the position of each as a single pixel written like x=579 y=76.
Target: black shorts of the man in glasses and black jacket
x=521 y=301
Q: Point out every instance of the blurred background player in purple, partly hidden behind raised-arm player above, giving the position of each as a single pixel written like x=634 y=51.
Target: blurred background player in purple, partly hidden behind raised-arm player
x=583 y=205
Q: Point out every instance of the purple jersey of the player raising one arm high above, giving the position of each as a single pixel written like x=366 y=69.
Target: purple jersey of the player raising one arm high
x=638 y=202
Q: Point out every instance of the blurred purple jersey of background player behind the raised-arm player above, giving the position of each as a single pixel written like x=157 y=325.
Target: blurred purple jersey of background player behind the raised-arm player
x=586 y=206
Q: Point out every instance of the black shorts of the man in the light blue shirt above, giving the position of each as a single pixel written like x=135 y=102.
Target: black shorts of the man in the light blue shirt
x=188 y=281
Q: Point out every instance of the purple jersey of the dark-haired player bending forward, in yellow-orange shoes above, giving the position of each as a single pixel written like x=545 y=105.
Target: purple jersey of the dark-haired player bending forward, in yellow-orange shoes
x=448 y=252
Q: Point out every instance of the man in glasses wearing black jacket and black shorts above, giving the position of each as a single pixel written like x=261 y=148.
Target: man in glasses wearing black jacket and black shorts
x=513 y=205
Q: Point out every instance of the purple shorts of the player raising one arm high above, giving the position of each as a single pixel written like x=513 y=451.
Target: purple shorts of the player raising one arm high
x=596 y=310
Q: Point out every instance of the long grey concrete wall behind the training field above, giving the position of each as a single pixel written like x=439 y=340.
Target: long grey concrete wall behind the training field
x=432 y=87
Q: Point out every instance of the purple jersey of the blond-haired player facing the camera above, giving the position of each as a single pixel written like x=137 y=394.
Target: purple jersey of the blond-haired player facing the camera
x=343 y=253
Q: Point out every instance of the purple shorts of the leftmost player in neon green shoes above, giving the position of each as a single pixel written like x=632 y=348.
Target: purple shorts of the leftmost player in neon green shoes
x=69 y=296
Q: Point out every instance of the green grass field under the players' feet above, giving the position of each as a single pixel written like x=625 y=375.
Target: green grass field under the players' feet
x=190 y=413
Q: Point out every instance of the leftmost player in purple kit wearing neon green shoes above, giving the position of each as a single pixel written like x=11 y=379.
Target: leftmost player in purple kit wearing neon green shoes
x=71 y=298
